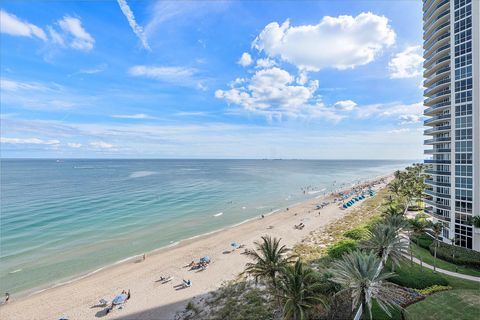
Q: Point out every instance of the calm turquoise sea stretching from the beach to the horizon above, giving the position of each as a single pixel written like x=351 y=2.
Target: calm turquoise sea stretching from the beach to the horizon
x=63 y=218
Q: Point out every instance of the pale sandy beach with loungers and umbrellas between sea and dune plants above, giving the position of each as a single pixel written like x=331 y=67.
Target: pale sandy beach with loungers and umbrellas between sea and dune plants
x=150 y=299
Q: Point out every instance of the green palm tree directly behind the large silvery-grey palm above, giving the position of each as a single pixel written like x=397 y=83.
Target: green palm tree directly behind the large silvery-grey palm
x=386 y=241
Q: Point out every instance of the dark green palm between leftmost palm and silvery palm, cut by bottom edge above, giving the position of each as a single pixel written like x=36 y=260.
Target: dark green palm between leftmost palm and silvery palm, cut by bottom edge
x=297 y=289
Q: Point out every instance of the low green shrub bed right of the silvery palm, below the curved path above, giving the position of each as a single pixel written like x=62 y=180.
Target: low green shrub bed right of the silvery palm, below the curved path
x=416 y=278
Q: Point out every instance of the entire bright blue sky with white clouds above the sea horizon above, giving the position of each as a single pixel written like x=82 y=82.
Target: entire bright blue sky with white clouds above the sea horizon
x=213 y=79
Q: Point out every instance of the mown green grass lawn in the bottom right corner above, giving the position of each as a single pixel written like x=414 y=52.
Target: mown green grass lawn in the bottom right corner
x=454 y=304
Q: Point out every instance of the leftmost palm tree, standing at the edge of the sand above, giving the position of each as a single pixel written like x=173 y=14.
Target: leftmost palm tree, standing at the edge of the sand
x=269 y=259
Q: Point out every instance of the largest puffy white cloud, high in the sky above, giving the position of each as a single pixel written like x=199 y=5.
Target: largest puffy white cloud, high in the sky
x=337 y=42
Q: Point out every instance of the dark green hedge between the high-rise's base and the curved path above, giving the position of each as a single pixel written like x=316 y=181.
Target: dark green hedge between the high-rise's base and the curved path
x=463 y=256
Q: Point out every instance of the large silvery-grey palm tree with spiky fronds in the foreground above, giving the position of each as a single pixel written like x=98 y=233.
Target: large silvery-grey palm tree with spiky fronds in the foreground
x=361 y=274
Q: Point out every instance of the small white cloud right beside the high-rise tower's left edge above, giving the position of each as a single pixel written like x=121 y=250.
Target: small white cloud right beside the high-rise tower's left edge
x=406 y=64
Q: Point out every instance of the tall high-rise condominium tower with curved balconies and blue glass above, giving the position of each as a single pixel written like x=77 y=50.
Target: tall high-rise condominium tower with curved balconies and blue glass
x=452 y=80
